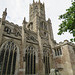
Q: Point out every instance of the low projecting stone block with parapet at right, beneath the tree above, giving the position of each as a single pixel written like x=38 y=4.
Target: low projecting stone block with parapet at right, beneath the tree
x=65 y=63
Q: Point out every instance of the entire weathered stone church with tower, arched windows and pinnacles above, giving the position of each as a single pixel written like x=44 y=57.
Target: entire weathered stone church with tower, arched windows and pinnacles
x=30 y=49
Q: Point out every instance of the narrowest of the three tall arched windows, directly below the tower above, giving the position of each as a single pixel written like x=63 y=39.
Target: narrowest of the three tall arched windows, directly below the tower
x=46 y=60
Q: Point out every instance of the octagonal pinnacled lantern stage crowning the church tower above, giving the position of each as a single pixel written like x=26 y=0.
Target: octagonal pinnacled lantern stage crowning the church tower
x=36 y=8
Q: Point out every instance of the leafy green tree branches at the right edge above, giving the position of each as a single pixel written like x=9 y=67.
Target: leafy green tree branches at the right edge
x=68 y=22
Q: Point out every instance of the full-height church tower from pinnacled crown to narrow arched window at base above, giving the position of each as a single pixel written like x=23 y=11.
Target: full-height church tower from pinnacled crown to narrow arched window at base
x=43 y=29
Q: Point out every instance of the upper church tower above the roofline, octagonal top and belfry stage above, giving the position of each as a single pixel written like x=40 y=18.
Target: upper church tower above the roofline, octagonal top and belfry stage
x=37 y=20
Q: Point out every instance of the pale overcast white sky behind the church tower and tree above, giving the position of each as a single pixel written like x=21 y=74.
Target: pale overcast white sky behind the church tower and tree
x=18 y=9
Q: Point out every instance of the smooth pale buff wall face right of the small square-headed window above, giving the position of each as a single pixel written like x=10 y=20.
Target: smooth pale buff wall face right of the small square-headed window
x=67 y=70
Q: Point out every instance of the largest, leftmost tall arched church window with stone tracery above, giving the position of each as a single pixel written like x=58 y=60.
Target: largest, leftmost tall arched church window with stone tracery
x=8 y=54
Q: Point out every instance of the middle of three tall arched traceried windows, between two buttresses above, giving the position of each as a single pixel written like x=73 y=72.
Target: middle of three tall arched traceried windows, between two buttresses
x=30 y=59
